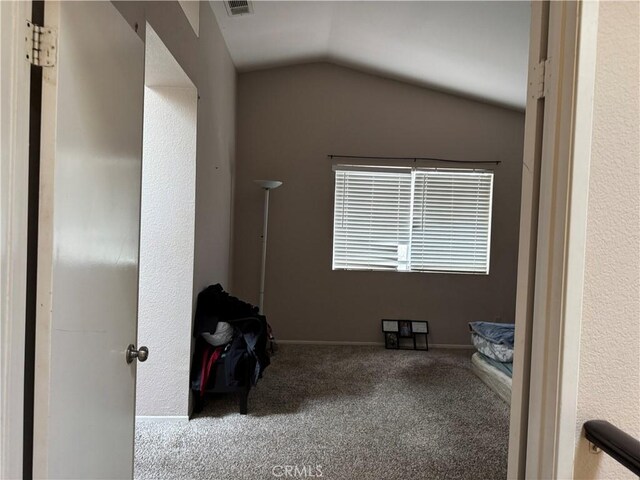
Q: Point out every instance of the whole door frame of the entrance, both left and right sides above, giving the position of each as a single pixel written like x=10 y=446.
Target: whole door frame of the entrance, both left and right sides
x=556 y=248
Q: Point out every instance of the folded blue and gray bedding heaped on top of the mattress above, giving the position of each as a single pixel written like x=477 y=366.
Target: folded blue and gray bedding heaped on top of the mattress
x=494 y=342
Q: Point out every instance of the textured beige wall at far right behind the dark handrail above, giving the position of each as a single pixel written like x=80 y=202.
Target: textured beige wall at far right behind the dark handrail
x=609 y=385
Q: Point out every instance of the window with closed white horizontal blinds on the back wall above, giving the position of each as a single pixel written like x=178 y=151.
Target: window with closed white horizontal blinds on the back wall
x=412 y=219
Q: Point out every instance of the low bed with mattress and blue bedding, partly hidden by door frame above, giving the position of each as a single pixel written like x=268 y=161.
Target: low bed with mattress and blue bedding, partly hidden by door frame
x=493 y=361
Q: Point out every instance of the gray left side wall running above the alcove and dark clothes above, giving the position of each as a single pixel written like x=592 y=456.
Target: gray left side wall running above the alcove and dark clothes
x=207 y=62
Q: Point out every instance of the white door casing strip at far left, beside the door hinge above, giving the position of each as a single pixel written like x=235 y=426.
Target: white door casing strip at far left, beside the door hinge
x=14 y=181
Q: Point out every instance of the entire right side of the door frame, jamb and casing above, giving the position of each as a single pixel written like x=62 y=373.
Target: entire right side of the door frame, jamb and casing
x=552 y=240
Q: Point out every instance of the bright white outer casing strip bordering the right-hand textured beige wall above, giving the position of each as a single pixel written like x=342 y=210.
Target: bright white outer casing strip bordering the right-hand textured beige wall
x=584 y=87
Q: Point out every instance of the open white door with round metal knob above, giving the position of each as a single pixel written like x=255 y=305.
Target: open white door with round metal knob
x=89 y=227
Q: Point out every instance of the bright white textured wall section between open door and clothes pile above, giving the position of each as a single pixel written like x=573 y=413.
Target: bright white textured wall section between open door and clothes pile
x=166 y=250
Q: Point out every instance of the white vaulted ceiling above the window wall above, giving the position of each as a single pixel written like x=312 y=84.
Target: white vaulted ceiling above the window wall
x=477 y=49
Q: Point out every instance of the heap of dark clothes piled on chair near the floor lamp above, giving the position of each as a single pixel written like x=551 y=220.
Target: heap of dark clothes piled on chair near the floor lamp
x=231 y=341
